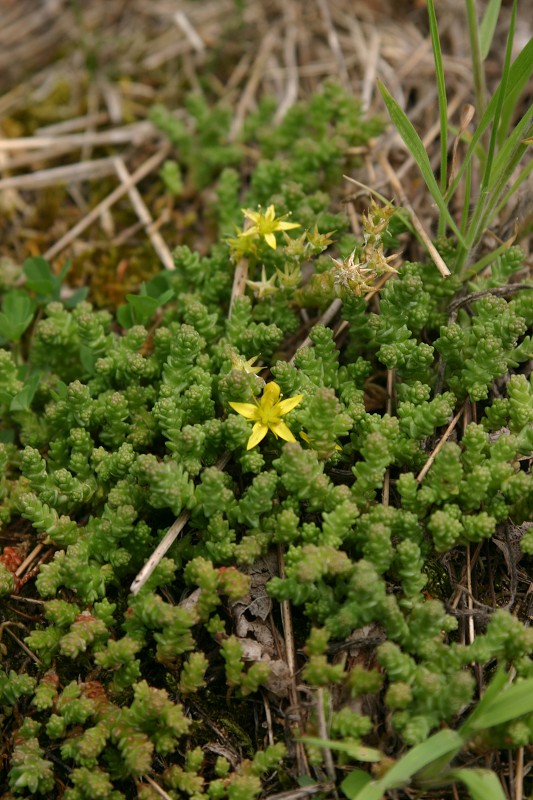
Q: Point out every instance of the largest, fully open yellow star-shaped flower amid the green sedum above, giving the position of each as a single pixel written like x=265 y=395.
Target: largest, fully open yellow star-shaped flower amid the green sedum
x=267 y=413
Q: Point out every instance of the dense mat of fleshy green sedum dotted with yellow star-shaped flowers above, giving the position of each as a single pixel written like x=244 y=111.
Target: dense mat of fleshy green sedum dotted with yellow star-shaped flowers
x=123 y=433
